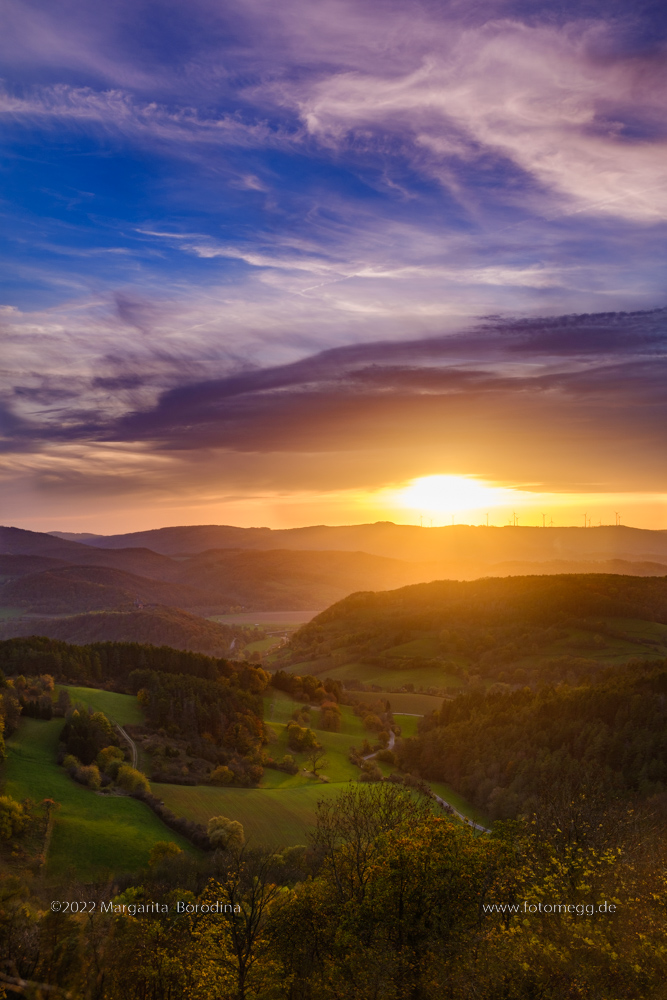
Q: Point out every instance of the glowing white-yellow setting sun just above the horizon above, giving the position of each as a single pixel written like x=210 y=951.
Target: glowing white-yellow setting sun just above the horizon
x=452 y=494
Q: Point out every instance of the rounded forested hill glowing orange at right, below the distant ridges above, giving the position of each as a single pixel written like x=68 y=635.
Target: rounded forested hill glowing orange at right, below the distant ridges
x=513 y=630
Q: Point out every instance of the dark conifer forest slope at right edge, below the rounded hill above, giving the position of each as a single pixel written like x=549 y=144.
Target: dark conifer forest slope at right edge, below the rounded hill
x=502 y=750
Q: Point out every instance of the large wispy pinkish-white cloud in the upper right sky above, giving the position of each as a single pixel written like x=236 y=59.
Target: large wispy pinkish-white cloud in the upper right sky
x=585 y=126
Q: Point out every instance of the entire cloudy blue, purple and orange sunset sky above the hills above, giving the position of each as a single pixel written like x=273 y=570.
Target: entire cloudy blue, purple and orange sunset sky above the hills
x=325 y=262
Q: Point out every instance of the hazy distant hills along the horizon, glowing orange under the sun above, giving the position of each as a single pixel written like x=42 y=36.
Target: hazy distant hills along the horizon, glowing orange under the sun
x=202 y=570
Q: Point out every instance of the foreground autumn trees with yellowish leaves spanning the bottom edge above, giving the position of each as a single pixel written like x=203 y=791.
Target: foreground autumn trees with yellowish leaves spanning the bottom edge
x=387 y=900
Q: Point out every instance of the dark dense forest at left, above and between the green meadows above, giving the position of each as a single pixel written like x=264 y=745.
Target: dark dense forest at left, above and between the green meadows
x=198 y=709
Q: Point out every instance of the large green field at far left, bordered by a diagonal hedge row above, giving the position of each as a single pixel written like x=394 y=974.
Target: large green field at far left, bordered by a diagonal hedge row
x=94 y=834
